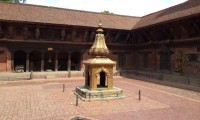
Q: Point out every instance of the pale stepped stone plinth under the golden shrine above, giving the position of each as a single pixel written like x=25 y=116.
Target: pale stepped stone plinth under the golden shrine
x=86 y=94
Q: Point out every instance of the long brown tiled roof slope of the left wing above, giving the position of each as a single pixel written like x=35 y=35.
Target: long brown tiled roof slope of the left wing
x=44 y=14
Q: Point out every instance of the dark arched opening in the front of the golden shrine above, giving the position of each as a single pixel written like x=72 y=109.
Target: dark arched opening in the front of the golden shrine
x=102 y=80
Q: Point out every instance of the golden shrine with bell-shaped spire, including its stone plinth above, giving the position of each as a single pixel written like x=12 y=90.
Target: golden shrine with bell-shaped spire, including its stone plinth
x=99 y=73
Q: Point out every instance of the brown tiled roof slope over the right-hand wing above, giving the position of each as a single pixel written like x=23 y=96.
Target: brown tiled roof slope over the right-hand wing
x=185 y=9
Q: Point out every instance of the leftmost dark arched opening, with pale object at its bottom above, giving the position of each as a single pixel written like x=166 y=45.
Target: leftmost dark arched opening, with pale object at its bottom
x=20 y=61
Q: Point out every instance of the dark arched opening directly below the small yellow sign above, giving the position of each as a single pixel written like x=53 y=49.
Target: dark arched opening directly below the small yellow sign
x=49 y=61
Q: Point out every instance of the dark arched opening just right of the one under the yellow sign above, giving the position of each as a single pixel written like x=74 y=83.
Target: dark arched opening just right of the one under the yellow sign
x=62 y=61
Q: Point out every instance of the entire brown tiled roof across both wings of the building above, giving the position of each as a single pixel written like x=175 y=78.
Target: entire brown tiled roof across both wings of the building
x=51 y=15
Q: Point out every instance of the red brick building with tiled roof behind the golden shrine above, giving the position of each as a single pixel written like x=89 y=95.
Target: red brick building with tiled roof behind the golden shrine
x=40 y=38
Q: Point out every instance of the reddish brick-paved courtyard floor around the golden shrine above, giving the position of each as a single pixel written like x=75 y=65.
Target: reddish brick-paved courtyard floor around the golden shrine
x=45 y=100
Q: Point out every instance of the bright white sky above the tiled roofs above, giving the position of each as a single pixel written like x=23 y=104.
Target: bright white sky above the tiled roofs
x=122 y=7
